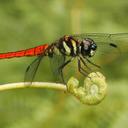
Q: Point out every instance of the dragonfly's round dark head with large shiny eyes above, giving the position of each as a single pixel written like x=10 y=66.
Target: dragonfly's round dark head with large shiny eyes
x=88 y=47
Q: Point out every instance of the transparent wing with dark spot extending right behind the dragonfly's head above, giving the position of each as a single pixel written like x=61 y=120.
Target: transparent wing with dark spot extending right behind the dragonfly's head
x=109 y=46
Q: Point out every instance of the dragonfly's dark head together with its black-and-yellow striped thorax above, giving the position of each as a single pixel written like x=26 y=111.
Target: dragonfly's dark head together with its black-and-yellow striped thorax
x=69 y=46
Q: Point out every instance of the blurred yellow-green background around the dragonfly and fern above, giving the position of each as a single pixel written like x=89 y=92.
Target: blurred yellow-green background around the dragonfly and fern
x=28 y=23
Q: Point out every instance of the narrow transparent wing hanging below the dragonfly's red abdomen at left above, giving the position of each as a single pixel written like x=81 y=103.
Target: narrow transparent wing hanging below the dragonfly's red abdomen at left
x=32 y=69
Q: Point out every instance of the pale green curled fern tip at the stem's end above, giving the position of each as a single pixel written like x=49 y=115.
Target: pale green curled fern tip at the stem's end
x=92 y=92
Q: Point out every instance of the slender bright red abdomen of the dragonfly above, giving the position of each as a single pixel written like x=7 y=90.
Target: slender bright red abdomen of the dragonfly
x=28 y=52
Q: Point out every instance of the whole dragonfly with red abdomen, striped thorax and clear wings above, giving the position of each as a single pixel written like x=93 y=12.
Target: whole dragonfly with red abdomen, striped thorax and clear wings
x=82 y=47
